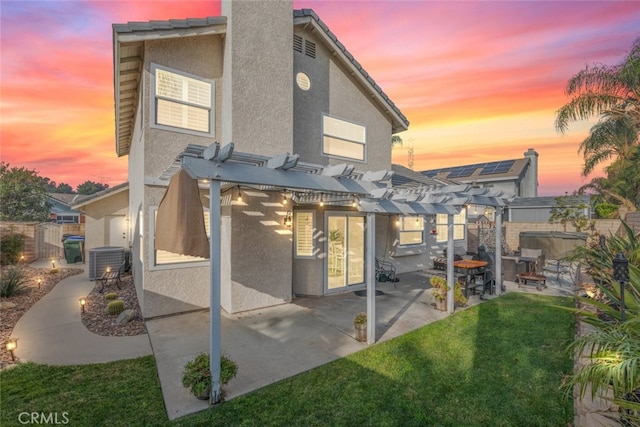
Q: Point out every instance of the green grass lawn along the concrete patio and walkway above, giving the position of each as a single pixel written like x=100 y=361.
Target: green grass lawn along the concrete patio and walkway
x=496 y=364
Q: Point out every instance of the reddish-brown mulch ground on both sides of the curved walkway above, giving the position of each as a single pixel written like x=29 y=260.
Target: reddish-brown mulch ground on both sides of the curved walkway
x=95 y=318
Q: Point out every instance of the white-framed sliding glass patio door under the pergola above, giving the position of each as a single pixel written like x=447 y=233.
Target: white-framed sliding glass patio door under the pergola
x=345 y=249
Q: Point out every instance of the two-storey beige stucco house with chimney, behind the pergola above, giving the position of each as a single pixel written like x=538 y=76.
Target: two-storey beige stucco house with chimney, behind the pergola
x=272 y=80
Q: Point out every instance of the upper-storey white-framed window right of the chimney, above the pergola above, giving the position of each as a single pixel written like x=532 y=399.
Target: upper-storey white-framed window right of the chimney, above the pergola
x=343 y=139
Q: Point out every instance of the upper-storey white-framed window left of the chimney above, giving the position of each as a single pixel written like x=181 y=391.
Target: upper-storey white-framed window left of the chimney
x=182 y=102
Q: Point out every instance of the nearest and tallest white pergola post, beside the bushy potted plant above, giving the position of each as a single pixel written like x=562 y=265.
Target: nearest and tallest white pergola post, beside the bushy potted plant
x=214 y=310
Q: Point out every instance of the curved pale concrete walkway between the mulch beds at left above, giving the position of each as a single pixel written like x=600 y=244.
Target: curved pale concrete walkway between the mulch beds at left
x=52 y=332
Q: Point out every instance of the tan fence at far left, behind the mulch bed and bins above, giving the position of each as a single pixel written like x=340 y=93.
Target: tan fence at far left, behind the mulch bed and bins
x=41 y=240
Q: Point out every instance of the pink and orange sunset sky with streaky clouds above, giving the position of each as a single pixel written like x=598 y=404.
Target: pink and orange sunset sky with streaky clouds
x=479 y=81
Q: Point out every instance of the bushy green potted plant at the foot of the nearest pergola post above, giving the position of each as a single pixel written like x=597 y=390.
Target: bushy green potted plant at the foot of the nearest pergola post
x=197 y=376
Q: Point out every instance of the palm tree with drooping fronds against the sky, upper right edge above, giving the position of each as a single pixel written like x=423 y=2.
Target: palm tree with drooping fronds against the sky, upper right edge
x=613 y=93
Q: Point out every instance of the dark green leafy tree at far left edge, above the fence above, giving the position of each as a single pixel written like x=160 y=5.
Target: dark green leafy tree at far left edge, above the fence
x=21 y=194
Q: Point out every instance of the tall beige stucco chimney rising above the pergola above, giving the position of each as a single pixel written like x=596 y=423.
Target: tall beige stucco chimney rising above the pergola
x=258 y=69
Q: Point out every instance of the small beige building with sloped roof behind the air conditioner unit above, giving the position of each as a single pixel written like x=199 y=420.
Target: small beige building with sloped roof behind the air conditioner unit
x=106 y=217
